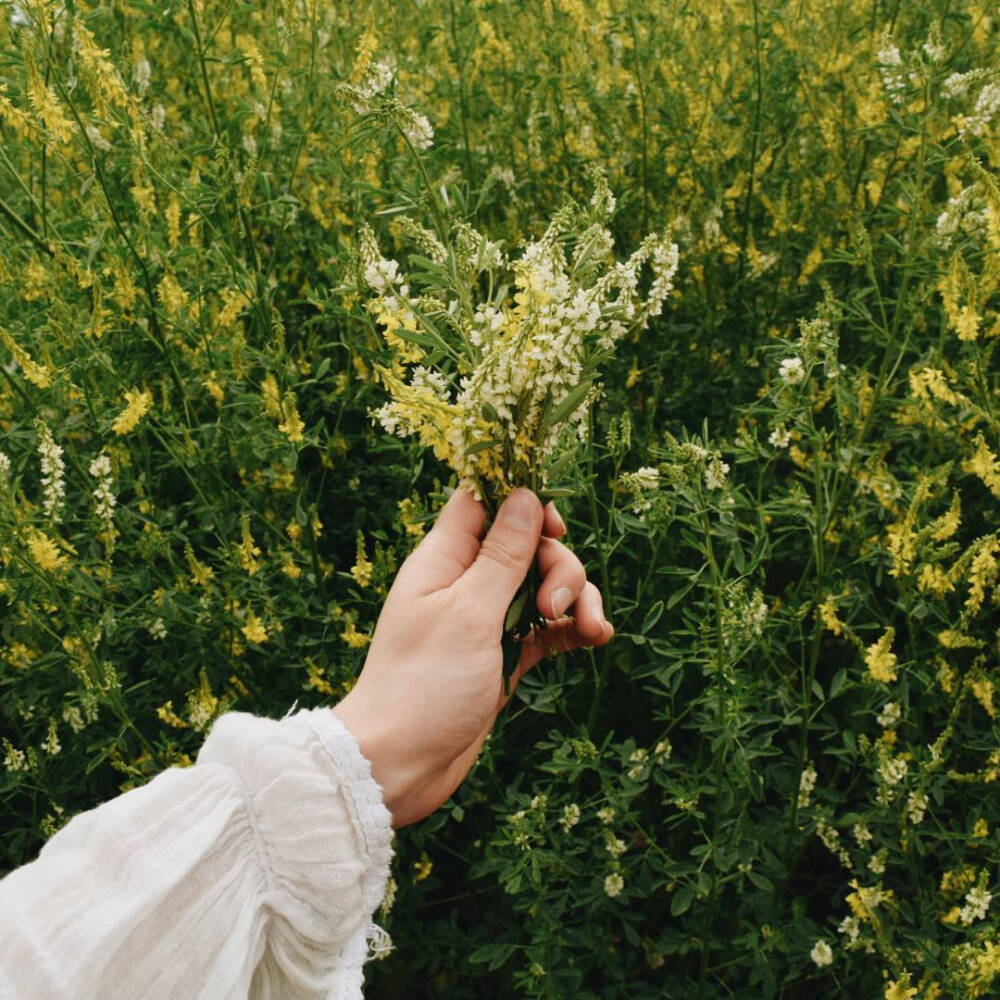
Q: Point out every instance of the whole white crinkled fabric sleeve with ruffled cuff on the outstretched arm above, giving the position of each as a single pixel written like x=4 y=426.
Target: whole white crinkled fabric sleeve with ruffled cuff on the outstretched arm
x=253 y=873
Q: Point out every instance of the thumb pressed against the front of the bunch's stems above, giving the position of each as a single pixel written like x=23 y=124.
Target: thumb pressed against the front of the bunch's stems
x=507 y=551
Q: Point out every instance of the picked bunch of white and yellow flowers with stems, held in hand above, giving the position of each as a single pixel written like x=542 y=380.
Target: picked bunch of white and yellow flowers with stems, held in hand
x=496 y=358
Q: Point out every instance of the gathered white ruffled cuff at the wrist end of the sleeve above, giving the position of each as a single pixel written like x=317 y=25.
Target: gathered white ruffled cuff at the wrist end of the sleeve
x=324 y=839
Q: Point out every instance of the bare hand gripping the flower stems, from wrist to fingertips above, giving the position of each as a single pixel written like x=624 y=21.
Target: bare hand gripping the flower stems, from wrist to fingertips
x=432 y=684
